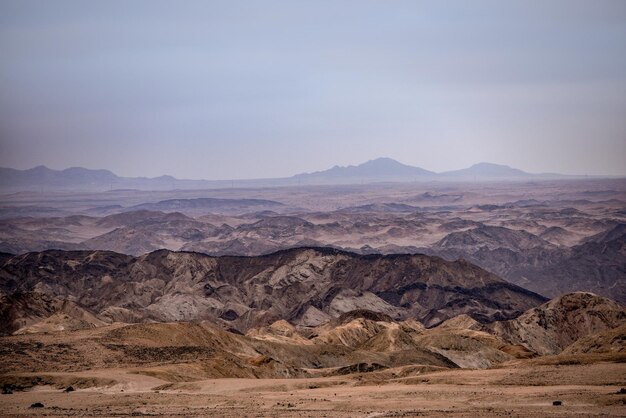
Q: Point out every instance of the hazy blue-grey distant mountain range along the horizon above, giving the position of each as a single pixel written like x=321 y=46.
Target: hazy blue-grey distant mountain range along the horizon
x=373 y=171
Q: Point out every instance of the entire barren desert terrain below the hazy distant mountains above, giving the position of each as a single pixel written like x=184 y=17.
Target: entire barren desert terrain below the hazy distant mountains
x=378 y=300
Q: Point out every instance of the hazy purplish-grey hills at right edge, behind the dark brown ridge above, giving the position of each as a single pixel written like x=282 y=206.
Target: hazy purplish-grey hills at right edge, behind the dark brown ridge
x=598 y=264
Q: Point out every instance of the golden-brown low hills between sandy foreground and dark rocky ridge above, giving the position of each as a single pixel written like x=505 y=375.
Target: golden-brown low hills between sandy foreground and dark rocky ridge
x=356 y=342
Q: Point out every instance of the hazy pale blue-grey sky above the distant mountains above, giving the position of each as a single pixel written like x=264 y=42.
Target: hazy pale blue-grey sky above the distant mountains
x=259 y=89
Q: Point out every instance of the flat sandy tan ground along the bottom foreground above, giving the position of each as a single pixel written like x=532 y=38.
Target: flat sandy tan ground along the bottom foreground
x=589 y=390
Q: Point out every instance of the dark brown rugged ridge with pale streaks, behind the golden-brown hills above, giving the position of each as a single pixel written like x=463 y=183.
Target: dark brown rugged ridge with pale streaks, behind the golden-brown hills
x=305 y=286
